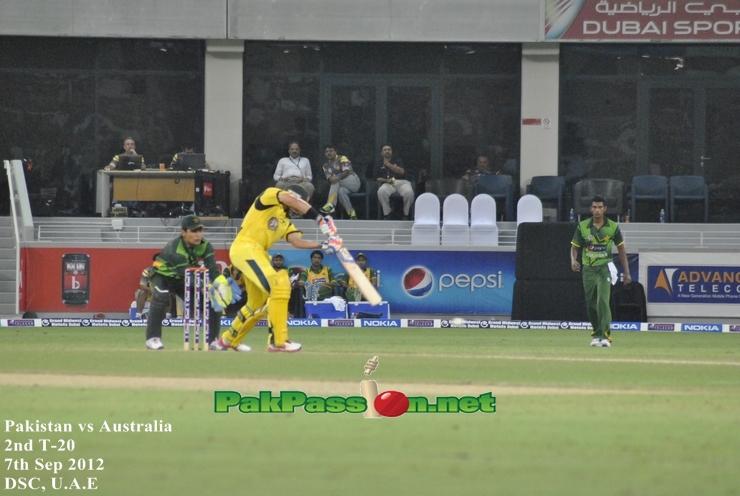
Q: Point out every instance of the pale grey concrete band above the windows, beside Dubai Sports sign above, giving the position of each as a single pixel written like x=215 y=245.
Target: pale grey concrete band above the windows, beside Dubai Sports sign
x=307 y=20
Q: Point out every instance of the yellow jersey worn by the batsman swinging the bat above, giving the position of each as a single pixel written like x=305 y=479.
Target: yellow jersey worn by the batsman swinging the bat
x=266 y=221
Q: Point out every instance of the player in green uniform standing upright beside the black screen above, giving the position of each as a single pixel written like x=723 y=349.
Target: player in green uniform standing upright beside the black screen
x=596 y=237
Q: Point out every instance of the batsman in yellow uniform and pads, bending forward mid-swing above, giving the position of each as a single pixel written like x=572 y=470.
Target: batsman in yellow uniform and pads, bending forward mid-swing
x=268 y=291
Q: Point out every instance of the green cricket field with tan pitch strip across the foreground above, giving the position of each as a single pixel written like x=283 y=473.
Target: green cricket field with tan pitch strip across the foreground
x=658 y=413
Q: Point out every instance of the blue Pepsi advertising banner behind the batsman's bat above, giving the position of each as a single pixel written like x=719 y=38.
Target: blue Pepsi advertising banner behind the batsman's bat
x=451 y=282
